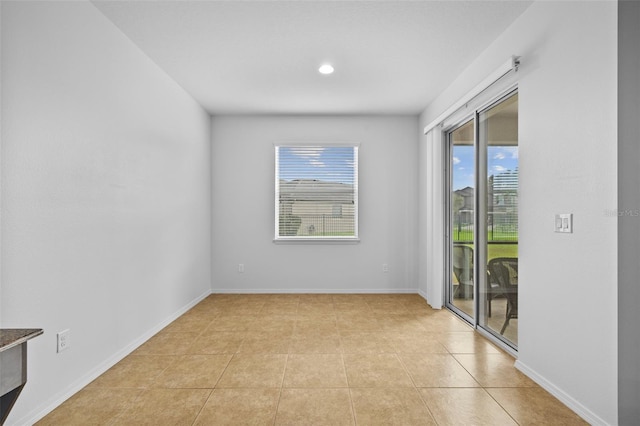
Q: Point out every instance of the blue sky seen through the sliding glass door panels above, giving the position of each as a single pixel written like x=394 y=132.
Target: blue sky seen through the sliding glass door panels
x=500 y=160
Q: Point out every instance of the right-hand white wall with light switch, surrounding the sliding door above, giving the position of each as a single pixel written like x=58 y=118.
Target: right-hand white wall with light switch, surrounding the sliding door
x=567 y=131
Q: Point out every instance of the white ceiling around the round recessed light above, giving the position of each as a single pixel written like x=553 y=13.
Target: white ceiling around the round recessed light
x=245 y=57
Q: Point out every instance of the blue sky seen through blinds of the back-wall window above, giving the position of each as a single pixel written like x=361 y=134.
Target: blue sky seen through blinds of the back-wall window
x=330 y=163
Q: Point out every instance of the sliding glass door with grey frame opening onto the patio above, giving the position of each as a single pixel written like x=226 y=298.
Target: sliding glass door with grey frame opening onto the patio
x=482 y=212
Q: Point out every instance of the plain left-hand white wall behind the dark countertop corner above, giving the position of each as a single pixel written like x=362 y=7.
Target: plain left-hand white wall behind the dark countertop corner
x=106 y=194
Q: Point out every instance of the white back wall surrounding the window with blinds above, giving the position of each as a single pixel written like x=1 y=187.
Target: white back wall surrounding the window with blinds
x=243 y=217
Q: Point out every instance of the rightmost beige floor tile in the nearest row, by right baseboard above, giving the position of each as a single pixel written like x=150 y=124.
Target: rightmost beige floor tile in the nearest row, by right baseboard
x=534 y=406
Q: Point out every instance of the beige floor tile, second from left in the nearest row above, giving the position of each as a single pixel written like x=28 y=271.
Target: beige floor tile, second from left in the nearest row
x=164 y=407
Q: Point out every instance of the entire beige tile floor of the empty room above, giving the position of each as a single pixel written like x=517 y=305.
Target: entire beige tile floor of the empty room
x=314 y=360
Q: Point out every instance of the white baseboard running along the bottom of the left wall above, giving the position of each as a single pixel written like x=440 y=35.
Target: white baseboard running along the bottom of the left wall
x=39 y=412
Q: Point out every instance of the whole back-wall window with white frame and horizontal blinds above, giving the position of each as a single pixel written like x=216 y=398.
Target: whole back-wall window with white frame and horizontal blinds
x=316 y=192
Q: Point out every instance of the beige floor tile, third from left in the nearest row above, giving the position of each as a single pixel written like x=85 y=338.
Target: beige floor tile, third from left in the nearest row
x=240 y=407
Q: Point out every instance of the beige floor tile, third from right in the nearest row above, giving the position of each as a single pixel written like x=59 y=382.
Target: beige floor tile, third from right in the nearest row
x=397 y=406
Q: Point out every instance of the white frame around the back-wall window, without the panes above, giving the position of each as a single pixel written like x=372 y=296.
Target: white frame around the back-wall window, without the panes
x=316 y=239
